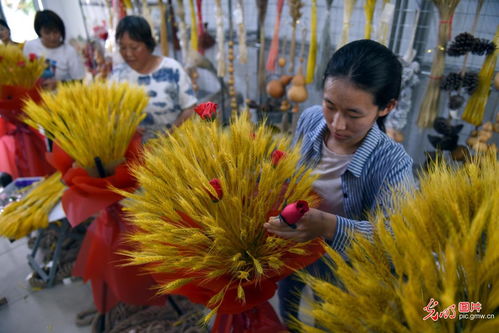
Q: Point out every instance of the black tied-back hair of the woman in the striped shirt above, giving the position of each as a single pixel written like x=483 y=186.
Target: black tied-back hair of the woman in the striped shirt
x=370 y=66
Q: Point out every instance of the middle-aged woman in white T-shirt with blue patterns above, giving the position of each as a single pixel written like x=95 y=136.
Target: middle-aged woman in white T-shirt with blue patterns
x=171 y=98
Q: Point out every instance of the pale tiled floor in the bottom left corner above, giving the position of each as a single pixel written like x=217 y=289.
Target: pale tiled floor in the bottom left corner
x=30 y=311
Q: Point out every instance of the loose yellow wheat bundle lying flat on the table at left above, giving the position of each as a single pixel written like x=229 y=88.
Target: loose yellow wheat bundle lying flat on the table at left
x=20 y=218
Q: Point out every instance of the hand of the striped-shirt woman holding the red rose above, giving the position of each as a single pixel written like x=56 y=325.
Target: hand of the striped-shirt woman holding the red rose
x=315 y=223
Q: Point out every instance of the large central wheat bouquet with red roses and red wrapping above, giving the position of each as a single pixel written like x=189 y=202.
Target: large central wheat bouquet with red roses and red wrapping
x=205 y=193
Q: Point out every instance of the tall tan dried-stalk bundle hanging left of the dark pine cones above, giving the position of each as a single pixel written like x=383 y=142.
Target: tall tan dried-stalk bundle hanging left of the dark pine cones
x=430 y=105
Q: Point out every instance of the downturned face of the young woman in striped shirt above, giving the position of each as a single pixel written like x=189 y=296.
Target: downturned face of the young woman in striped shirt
x=350 y=113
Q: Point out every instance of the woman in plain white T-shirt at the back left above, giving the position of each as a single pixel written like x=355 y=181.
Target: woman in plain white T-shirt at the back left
x=63 y=62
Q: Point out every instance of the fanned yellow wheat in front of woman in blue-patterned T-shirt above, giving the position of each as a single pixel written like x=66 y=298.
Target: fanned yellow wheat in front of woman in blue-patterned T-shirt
x=89 y=121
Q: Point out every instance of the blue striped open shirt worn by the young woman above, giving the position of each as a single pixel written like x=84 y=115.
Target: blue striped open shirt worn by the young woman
x=378 y=166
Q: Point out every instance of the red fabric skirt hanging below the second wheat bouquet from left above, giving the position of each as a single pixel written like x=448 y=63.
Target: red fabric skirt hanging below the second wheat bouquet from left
x=100 y=262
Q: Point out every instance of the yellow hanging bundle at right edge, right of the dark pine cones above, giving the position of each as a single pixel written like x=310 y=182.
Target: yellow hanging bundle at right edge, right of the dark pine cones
x=475 y=109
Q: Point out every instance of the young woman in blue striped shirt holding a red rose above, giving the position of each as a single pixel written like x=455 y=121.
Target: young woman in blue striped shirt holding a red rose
x=344 y=142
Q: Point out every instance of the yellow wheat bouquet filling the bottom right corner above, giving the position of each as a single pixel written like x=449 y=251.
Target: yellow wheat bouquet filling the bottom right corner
x=436 y=269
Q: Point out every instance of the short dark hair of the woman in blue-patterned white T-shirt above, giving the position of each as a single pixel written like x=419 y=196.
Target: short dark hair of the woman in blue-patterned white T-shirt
x=138 y=29
